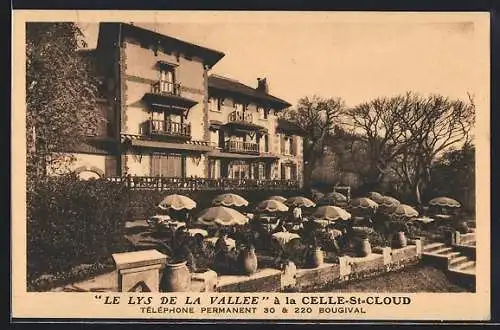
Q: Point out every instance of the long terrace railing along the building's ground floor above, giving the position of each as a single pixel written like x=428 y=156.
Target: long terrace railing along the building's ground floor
x=191 y=184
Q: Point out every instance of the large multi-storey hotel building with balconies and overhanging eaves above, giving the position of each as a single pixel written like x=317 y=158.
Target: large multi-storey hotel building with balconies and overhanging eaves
x=169 y=117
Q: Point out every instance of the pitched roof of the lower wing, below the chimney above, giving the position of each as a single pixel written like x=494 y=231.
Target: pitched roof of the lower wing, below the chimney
x=233 y=86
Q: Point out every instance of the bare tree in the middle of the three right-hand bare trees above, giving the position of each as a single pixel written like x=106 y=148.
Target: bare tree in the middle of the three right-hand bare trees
x=380 y=137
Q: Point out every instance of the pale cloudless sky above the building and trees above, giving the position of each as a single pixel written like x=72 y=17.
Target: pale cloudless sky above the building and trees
x=356 y=60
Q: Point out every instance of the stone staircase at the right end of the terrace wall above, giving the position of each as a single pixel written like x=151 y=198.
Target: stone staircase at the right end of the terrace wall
x=459 y=266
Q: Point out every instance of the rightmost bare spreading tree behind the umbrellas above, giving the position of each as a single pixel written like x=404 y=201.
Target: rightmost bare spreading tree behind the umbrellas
x=430 y=125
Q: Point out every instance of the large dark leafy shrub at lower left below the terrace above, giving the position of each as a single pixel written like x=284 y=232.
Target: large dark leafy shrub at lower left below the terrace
x=70 y=222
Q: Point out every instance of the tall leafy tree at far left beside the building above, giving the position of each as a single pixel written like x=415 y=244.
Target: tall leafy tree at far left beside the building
x=60 y=94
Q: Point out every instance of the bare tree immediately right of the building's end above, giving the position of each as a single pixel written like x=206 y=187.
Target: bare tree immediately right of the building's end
x=317 y=117
